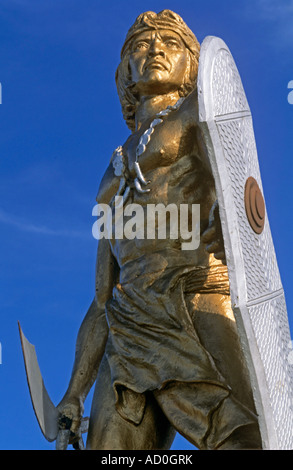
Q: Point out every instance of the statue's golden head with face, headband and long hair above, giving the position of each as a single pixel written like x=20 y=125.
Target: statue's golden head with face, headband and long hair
x=182 y=54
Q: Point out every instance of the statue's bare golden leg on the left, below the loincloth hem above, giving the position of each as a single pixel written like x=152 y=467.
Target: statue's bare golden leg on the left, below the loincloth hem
x=109 y=431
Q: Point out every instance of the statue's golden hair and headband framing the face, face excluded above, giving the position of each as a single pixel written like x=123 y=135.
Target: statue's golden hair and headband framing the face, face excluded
x=166 y=19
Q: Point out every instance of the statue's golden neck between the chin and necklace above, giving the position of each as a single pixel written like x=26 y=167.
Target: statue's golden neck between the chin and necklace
x=151 y=105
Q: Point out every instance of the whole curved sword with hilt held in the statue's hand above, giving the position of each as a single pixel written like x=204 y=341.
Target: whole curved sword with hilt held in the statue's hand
x=52 y=426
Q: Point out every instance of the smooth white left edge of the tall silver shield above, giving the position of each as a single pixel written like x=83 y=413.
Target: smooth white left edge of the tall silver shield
x=210 y=46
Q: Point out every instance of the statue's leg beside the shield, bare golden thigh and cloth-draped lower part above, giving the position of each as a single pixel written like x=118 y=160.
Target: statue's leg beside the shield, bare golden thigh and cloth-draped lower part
x=207 y=415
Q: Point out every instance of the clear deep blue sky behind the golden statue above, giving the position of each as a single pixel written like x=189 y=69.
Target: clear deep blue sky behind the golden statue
x=60 y=120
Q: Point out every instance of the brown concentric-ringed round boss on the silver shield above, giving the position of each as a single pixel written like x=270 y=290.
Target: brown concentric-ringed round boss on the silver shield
x=254 y=205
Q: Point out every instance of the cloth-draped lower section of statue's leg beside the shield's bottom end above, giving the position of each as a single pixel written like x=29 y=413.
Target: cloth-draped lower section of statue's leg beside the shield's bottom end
x=209 y=417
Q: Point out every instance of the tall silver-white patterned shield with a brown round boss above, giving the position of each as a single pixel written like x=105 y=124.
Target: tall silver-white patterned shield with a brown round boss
x=257 y=294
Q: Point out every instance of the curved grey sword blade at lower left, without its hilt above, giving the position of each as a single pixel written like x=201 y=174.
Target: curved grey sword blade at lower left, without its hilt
x=45 y=411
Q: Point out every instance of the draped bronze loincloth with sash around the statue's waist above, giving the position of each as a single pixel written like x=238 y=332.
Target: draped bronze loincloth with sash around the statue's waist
x=152 y=341
